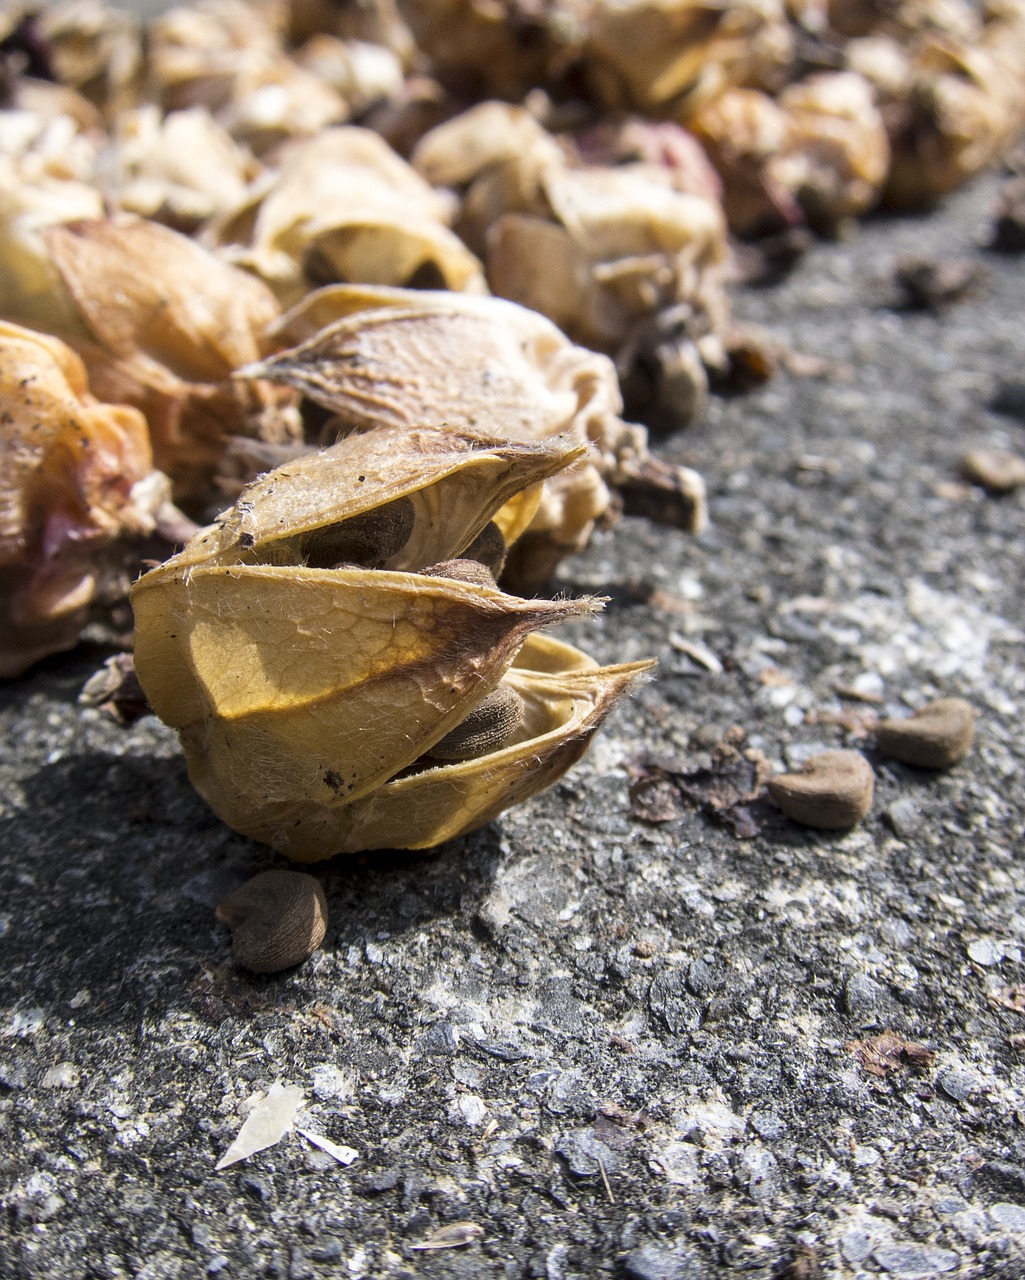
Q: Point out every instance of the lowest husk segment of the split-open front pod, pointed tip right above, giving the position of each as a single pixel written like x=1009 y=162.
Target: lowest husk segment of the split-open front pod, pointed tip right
x=566 y=700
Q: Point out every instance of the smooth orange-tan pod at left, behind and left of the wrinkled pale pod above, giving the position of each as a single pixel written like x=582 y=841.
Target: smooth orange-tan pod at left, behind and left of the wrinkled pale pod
x=162 y=324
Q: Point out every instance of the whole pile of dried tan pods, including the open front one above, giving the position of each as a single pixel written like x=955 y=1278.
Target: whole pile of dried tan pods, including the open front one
x=443 y=235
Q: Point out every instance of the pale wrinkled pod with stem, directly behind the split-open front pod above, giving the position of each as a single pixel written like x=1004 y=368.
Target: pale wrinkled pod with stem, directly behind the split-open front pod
x=378 y=356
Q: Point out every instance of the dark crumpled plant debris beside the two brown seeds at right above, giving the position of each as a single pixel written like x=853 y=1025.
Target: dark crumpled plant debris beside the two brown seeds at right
x=662 y=789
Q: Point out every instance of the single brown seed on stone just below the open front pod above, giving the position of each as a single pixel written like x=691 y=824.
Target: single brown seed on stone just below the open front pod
x=277 y=920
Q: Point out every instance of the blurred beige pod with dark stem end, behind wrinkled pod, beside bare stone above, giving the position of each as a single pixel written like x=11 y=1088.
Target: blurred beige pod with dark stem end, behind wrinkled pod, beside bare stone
x=601 y=250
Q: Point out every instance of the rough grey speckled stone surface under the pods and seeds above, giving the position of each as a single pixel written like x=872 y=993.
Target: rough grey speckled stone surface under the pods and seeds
x=620 y=1049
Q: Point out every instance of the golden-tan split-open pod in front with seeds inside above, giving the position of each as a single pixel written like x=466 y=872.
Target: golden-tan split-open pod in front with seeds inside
x=310 y=648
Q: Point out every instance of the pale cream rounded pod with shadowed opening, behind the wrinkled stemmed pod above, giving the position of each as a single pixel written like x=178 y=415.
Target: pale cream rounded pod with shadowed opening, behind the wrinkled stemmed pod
x=344 y=207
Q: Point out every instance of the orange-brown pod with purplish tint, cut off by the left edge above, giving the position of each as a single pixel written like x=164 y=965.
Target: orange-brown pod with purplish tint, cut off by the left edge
x=77 y=487
